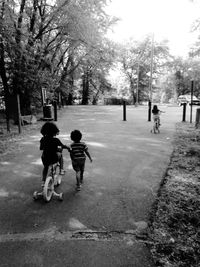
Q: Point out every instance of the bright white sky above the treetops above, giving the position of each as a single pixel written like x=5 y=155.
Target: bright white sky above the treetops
x=167 y=19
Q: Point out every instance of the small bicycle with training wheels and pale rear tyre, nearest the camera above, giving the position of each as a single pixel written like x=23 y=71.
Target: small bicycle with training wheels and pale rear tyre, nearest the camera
x=53 y=179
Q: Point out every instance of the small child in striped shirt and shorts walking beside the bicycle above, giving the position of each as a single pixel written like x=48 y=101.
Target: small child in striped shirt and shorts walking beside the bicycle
x=78 y=152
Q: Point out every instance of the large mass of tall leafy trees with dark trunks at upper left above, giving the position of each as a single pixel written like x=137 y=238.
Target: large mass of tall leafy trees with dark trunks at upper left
x=46 y=42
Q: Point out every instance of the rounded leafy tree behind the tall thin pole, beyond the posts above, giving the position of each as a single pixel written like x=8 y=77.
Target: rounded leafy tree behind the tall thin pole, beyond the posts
x=135 y=61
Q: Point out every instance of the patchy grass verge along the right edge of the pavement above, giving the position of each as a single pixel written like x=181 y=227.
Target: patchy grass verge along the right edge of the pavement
x=175 y=222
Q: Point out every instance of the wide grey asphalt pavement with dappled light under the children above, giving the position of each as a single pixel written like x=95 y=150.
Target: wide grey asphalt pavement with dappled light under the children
x=103 y=224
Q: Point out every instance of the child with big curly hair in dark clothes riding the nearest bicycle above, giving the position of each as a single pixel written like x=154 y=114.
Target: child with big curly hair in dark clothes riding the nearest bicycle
x=52 y=148
